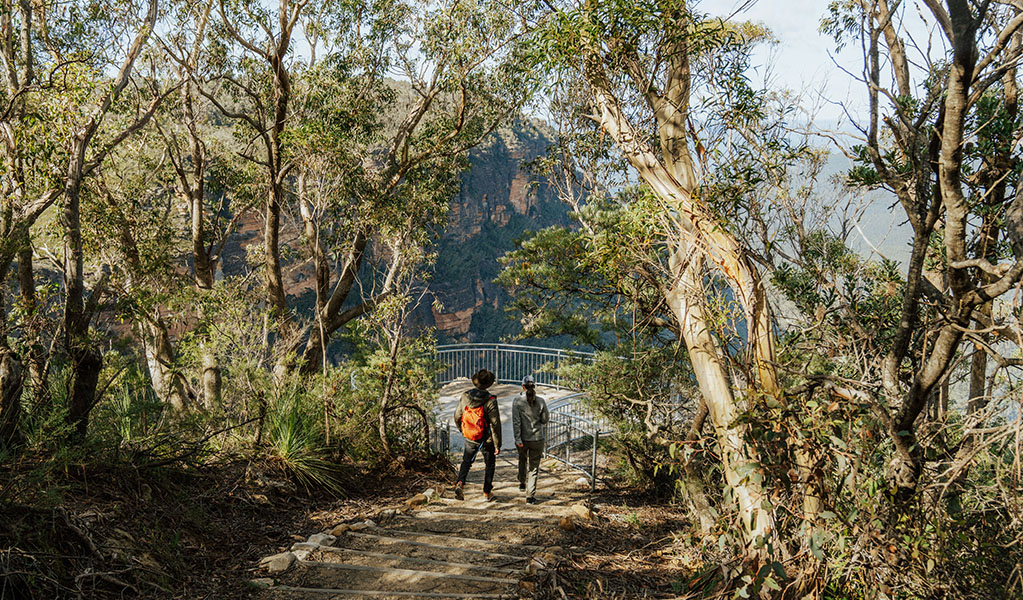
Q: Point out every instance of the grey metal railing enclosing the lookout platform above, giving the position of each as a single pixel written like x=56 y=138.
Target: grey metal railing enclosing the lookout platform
x=574 y=431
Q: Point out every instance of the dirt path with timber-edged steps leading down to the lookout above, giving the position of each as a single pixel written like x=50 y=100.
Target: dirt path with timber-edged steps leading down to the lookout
x=434 y=546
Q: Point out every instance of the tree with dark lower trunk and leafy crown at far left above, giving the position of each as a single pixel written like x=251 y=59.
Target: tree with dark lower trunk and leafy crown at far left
x=67 y=70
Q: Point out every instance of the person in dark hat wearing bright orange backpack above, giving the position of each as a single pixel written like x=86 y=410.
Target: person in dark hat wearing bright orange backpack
x=480 y=423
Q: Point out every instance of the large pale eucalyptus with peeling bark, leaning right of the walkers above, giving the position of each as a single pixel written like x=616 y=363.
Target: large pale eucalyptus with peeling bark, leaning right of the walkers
x=636 y=71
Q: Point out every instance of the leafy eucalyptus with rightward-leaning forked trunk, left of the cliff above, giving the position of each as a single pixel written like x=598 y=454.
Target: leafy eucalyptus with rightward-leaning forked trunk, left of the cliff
x=358 y=150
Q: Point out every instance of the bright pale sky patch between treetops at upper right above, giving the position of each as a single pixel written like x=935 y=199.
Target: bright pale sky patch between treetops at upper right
x=804 y=60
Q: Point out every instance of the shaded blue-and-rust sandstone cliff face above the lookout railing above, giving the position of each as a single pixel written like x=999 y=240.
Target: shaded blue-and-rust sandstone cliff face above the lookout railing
x=500 y=201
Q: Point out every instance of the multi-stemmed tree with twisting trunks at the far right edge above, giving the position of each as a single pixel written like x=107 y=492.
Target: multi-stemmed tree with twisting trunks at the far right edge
x=942 y=134
